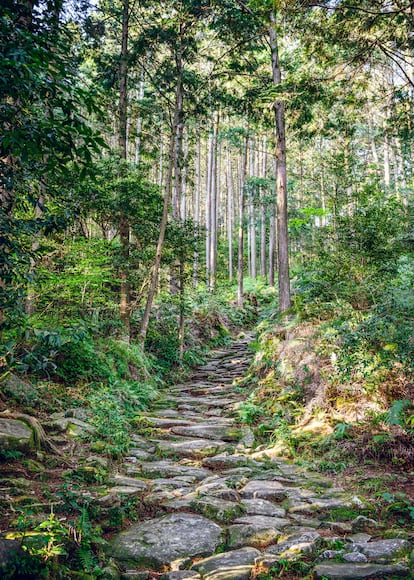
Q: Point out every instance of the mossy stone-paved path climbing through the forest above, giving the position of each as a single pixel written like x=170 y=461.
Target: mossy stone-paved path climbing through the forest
x=220 y=511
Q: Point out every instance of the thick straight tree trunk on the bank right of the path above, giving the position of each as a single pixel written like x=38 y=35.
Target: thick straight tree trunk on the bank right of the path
x=281 y=180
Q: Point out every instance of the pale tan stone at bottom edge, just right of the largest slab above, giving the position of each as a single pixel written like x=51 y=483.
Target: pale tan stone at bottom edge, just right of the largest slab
x=234 y=565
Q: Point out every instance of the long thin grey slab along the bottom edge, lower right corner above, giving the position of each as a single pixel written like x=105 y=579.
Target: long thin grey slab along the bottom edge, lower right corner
x=334 y=571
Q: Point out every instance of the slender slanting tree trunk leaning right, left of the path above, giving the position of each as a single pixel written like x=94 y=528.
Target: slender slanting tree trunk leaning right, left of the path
x=168 y=193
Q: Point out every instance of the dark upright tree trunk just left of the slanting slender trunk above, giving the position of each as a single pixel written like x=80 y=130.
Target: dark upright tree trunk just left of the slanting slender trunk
x=124 y=305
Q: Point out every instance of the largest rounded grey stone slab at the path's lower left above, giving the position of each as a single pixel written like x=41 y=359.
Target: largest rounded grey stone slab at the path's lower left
x=160 y=541
